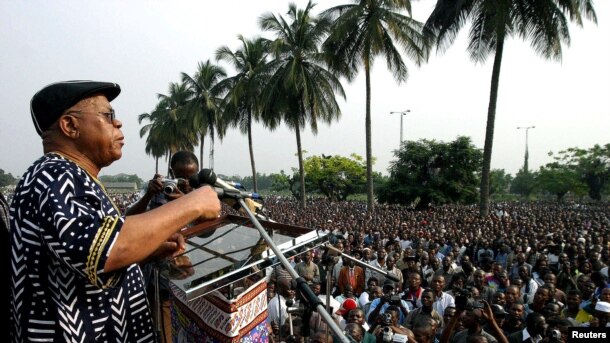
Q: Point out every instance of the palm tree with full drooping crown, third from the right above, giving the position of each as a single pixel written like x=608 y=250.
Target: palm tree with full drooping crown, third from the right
x=299 y=89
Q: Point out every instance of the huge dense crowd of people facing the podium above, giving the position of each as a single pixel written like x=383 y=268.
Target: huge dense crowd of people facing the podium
x=526 y=270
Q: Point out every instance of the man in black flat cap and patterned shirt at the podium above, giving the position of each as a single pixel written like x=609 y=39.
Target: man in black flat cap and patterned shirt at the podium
x=74 y=274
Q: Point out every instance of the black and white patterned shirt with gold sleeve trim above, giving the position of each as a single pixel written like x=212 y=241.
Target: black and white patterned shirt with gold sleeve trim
x=63 y=226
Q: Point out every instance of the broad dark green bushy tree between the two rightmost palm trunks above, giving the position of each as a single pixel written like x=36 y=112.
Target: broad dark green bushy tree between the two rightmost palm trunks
x=430 y=172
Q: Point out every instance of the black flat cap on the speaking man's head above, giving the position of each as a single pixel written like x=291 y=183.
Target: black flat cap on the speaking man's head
x=53 y=100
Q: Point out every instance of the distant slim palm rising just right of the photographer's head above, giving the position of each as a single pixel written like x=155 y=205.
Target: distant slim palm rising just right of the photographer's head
x=203 y=109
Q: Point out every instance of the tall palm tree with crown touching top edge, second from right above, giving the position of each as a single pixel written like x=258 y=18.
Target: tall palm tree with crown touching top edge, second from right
x=364 y=30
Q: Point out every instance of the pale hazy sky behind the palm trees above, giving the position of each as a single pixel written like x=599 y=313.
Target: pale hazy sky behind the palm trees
x=145 y=45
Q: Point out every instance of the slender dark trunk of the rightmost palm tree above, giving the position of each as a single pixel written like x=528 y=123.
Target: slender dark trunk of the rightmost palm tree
x=489 y=131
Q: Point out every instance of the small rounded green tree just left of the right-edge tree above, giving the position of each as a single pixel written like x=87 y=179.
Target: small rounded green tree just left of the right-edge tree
x=559 y=179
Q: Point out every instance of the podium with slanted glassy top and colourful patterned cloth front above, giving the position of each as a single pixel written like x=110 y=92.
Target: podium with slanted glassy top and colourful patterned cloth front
x=219 y=283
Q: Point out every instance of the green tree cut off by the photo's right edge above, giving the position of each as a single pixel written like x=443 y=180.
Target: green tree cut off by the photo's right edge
x=592 y=166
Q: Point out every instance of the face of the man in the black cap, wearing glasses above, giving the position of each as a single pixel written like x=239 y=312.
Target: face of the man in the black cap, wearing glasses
x=99 y=138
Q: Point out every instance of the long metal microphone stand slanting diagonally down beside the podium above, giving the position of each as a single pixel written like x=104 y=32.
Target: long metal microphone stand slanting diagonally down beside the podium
x=302 y=286
